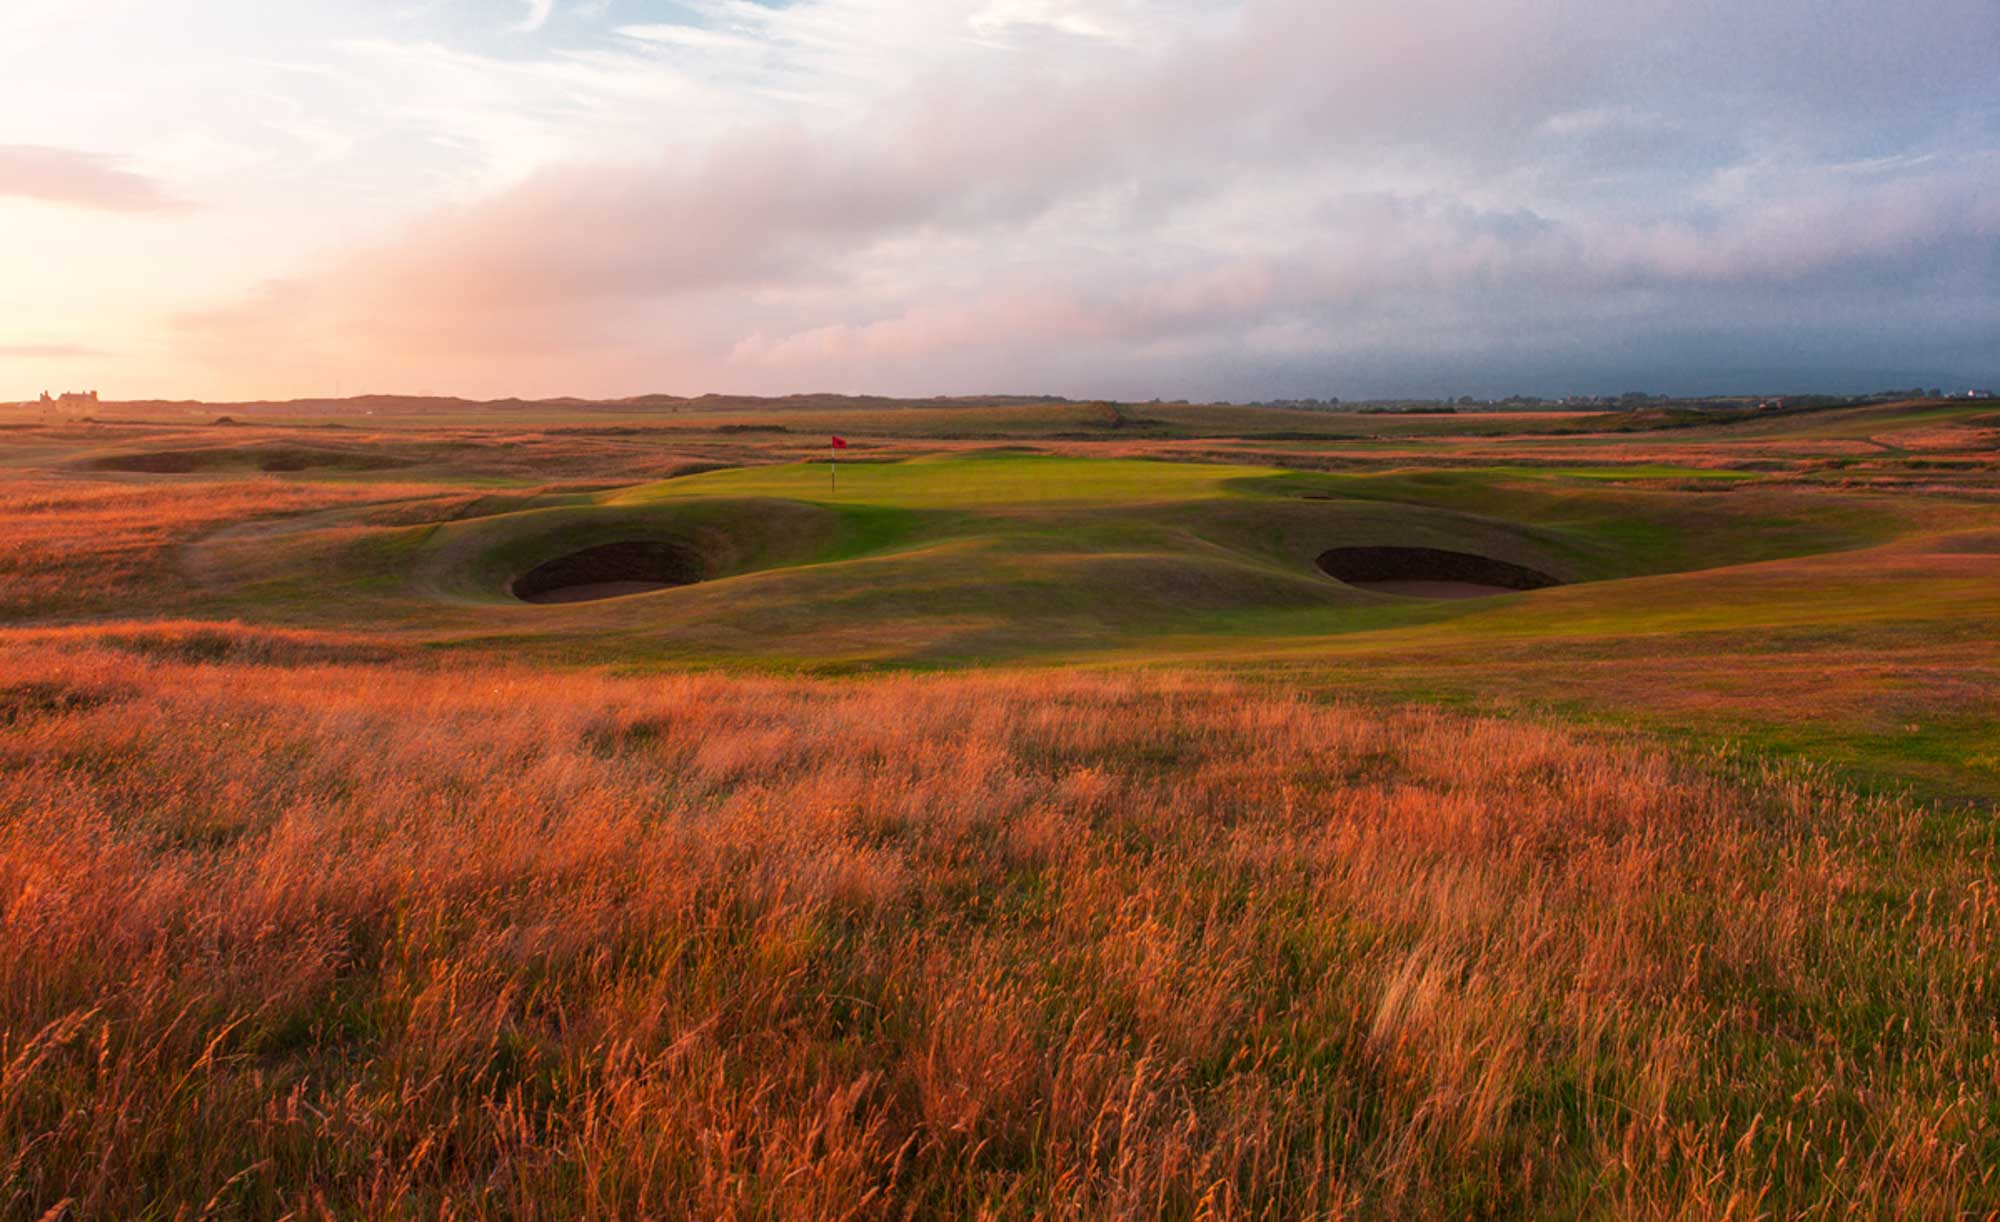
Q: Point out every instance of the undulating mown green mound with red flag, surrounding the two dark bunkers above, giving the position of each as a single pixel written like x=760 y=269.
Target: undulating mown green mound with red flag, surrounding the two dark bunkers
x=963 y=559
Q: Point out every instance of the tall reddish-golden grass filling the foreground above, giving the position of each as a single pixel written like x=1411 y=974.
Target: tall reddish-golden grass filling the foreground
x=375 y=941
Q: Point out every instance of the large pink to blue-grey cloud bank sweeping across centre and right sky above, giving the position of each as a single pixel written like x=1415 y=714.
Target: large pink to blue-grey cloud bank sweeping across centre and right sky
x=1383 y=189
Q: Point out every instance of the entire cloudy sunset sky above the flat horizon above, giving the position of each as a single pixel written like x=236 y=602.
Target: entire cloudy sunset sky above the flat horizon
x=1103 y=199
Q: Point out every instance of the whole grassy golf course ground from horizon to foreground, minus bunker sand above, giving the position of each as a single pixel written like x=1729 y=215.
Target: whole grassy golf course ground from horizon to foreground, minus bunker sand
x=993 y=829
